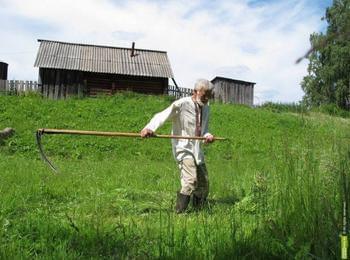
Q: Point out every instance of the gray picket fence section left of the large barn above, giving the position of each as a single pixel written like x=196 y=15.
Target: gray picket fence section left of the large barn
x=18 y=86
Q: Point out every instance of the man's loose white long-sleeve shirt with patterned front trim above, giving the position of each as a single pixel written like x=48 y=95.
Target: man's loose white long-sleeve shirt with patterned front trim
x=182 y=112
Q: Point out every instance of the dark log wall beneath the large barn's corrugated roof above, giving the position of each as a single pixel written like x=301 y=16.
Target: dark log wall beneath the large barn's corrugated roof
x=58 y=84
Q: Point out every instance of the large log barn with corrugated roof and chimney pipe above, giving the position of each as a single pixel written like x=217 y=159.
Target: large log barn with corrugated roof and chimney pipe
x=70 y=69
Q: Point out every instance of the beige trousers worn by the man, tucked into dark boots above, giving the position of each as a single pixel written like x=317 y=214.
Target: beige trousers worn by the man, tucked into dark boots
x=194 y=178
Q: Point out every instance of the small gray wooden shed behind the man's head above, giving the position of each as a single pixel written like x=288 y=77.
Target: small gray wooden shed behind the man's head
x=228 y=90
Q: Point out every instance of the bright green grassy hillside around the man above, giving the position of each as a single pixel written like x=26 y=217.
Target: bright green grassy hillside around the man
x=275 y=186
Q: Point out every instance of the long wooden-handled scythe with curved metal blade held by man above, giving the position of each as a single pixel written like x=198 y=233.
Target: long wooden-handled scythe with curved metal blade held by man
x=40 y=132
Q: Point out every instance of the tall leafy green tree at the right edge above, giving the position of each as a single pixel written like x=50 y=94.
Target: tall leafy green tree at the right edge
x=328 y=79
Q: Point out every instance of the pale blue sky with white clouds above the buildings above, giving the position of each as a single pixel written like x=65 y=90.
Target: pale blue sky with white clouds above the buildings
x=252 y=40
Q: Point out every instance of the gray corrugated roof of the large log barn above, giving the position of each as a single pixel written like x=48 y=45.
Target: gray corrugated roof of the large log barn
x=102 y=59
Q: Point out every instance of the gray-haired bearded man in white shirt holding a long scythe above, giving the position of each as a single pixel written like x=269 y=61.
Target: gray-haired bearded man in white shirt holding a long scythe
x=190 y=117
